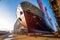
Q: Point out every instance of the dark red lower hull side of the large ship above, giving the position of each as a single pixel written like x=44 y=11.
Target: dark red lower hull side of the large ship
x=34 y=22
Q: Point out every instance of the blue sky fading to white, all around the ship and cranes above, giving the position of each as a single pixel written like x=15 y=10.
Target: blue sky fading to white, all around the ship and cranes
x=8 y=12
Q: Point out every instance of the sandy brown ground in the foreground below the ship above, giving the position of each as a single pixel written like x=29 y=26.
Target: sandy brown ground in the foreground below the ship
x=31 y=37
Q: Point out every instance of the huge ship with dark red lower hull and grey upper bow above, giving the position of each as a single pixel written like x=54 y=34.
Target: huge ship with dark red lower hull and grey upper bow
x=34 y=19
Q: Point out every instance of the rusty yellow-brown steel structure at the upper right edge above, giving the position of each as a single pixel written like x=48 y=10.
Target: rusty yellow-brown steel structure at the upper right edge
x=55 y=5
